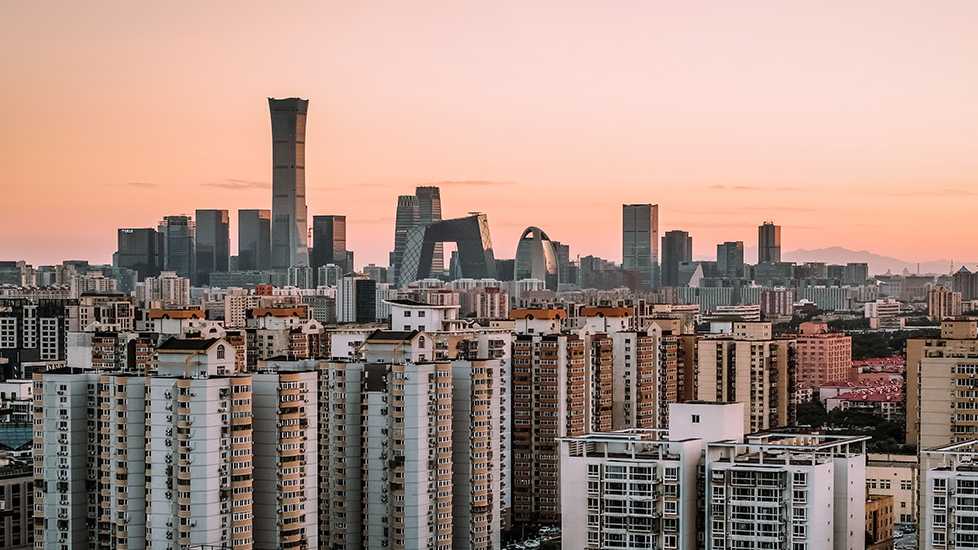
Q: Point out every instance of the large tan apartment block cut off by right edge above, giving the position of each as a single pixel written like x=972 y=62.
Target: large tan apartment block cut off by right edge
x=941 y=389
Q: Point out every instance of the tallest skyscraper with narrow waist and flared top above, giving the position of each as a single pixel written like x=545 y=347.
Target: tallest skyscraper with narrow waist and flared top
x=289 y=226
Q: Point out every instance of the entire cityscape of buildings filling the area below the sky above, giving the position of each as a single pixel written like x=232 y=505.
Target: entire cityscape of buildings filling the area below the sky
x=188 y=397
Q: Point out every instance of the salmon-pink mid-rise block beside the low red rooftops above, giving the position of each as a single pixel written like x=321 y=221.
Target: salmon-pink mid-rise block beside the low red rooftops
x=822 y=356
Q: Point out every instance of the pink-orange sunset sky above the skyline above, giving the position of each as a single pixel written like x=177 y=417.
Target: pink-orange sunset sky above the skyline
x=848 y=123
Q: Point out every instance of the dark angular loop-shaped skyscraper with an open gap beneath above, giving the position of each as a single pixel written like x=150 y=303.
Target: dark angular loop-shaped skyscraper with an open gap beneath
x=476 y=259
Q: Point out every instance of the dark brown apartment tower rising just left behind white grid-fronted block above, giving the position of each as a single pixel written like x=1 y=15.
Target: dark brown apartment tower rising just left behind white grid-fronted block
x=549 y=402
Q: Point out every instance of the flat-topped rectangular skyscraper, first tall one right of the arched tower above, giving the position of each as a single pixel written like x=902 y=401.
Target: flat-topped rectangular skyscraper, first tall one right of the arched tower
x=639 y=242
